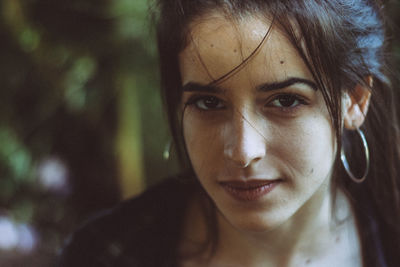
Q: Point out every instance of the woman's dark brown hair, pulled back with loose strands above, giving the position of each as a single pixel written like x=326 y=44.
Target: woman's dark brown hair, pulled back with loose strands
x=342 y=42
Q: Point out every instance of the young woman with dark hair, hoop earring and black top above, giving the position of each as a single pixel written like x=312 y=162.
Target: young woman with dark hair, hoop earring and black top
x=283 y=115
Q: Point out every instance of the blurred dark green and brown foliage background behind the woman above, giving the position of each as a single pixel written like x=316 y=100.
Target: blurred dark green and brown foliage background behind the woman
x=81 y=122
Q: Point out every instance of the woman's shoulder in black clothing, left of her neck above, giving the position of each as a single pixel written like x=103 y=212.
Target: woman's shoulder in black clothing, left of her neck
x=135 y=233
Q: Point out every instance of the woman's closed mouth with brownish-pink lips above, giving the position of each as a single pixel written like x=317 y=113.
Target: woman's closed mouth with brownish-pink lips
x=250 y=190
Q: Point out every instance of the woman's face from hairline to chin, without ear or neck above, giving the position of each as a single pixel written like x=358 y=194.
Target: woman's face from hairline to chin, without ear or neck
x=261 y=141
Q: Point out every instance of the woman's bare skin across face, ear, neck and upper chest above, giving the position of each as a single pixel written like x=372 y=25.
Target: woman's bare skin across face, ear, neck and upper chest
x=236 y=132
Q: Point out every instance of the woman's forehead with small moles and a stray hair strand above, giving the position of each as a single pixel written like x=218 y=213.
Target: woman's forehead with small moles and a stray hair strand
x=217 y=44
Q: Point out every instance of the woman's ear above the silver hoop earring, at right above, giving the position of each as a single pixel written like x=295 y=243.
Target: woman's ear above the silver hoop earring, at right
x=356 y=105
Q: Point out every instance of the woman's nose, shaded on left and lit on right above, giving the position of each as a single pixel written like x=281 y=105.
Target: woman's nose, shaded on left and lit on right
x=244 y=142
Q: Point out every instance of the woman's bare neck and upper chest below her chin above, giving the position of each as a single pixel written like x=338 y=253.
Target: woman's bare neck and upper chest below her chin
x=310 y=233
